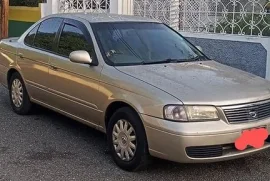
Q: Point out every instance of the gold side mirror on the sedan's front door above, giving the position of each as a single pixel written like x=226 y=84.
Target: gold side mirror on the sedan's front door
x=80 y=56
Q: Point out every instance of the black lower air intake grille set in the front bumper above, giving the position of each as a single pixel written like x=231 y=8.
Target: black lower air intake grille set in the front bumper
x=204 y=151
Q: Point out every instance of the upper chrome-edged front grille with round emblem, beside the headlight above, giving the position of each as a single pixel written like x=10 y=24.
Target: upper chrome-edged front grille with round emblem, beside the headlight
x=249 y=112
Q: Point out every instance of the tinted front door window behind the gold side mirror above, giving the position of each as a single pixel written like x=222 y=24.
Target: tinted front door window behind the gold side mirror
x=72 y=39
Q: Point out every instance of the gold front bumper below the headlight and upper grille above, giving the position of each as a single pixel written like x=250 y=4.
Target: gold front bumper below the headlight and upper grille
x=172 y=140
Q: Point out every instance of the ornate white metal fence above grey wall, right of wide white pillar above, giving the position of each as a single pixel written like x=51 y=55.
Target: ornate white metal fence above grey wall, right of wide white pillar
x=243 y=17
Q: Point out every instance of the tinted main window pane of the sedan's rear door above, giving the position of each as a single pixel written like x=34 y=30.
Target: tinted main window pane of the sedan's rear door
x=46 y=33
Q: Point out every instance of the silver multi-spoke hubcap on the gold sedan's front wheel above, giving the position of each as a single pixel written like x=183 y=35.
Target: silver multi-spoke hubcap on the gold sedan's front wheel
x=124 y=140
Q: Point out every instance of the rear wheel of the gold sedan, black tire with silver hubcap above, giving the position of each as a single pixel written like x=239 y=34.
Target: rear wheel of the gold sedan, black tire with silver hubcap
x=24 y=106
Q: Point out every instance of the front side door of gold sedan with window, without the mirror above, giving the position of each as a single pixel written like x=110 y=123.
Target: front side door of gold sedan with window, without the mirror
x=74 y=86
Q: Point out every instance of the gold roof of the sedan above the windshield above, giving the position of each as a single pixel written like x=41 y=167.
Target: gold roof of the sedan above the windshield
x=105 y=17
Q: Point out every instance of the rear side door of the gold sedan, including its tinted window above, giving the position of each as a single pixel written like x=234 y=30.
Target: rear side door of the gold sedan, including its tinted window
x=33 y=58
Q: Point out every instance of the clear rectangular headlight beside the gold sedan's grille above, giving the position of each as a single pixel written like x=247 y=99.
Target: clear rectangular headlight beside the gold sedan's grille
x=190 y=113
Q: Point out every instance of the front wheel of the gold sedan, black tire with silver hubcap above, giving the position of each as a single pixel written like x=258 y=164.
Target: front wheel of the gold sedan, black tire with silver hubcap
x=140 y=159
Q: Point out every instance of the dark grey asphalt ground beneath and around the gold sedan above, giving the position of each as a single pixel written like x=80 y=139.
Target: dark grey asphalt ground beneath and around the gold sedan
x=48 y=146
